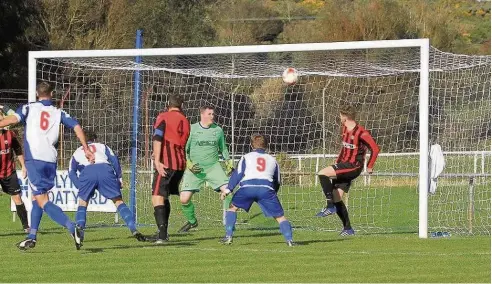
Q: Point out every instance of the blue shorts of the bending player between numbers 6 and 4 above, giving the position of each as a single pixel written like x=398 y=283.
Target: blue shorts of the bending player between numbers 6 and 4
x=100 y=177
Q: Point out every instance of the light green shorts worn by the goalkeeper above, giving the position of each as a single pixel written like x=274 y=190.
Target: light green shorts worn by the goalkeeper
x=214 y=176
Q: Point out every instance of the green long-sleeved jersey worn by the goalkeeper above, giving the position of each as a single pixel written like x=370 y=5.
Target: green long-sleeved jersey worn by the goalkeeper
x=205 y=144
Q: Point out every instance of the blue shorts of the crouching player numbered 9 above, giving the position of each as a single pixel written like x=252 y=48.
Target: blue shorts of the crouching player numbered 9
x=266 y=198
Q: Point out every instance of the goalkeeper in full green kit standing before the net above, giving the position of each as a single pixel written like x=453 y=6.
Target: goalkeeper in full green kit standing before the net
x=205 y=143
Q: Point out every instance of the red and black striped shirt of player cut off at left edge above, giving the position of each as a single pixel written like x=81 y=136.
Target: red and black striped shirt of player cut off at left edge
x=9 y=144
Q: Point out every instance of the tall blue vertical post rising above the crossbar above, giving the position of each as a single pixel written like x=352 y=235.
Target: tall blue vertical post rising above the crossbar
x=134 y=141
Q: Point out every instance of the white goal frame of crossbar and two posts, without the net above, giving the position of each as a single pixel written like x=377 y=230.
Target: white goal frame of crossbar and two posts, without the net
x=423 y=44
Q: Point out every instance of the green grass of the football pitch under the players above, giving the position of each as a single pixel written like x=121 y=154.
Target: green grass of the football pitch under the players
x=110 y=255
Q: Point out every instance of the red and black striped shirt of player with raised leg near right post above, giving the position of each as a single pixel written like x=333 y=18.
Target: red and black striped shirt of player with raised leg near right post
x=355 y=144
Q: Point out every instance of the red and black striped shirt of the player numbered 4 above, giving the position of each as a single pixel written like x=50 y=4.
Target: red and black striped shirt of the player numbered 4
x=172 y=128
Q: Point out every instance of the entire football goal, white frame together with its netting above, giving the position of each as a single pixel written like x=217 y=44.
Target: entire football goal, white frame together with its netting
x=408 y=95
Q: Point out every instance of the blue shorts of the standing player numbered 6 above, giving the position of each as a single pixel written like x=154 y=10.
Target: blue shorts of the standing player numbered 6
x=41 y=176
